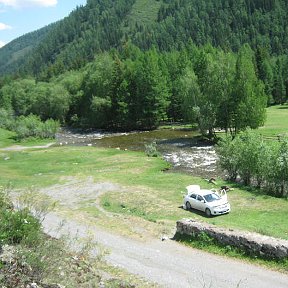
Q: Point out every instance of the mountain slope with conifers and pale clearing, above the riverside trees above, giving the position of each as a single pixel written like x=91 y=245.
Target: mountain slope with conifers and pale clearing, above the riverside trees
x=167 y=24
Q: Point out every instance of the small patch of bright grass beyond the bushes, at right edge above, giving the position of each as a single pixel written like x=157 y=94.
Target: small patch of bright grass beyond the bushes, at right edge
x=276 y=122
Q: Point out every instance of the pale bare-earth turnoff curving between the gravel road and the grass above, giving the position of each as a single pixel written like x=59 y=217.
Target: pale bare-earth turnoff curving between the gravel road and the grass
x=77 y=196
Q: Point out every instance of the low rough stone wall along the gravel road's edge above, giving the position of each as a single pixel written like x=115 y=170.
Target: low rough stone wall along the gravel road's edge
x=251 y=243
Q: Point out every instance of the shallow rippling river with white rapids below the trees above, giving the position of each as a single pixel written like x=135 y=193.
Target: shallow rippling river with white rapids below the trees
x=181 y=148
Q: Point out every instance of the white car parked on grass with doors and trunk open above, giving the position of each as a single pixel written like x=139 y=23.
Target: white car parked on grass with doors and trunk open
x=208 y=201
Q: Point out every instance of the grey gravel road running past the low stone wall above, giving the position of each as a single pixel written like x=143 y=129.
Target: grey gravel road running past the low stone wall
x=170 y=264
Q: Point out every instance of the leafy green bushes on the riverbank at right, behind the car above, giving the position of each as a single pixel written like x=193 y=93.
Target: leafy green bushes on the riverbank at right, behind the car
x=257 y=162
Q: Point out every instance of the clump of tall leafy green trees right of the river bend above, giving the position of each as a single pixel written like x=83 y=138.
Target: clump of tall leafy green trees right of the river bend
x=226 y=92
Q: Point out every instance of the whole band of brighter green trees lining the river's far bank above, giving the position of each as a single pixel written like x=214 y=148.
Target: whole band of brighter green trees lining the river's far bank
x=139 y=89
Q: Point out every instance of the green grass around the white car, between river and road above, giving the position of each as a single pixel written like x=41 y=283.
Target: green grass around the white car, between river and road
x=149 y=193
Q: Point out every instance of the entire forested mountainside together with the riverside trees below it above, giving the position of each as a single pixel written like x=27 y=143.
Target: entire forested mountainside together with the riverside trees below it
x=132 y=64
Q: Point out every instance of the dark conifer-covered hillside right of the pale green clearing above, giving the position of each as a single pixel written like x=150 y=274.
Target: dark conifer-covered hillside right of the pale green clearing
x=223 y=23
